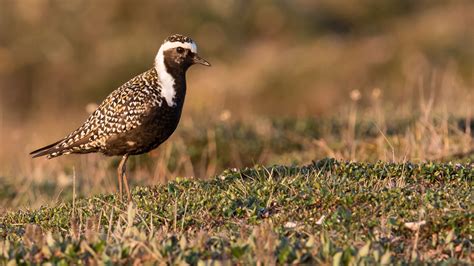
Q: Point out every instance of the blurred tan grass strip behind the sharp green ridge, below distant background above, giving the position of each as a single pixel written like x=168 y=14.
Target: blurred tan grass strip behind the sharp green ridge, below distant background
x=207 y=149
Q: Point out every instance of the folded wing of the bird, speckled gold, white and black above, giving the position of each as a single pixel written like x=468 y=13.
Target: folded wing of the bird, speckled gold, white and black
x=123 y=110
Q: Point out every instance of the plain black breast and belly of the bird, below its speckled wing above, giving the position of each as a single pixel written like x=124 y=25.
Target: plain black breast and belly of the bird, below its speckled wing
x=157 y=127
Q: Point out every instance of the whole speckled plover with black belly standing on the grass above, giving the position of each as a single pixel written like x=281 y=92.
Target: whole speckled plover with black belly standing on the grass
x=139 y=115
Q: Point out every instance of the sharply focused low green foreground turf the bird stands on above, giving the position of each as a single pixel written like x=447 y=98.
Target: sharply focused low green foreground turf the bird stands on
x=328 y=211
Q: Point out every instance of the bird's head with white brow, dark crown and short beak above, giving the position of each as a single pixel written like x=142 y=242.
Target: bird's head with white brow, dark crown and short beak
x=179 y=52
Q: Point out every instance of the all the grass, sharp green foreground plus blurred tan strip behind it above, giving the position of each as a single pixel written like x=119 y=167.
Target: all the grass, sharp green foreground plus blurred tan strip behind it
x=399 y=192
